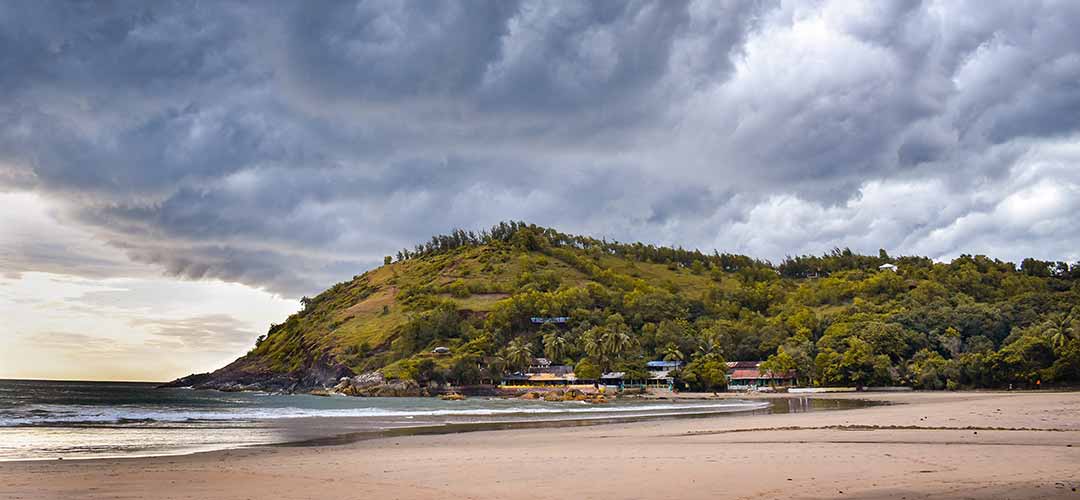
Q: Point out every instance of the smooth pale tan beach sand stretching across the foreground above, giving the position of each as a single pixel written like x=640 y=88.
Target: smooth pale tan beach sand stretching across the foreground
x=925 y=445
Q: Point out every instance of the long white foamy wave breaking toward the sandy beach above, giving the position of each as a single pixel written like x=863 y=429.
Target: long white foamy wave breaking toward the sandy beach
x=98 y=415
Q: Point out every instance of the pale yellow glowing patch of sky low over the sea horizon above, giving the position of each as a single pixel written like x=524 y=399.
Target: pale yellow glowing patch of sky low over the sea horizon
x=153 y=330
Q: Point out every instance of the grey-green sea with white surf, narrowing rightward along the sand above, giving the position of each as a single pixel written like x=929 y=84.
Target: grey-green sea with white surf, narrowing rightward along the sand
x=49 y=421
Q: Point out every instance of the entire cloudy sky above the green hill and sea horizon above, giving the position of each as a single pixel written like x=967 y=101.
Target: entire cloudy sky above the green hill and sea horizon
x=175 y=175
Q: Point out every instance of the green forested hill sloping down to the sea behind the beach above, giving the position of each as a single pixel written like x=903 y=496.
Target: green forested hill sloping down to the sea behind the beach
x=838 y=320
